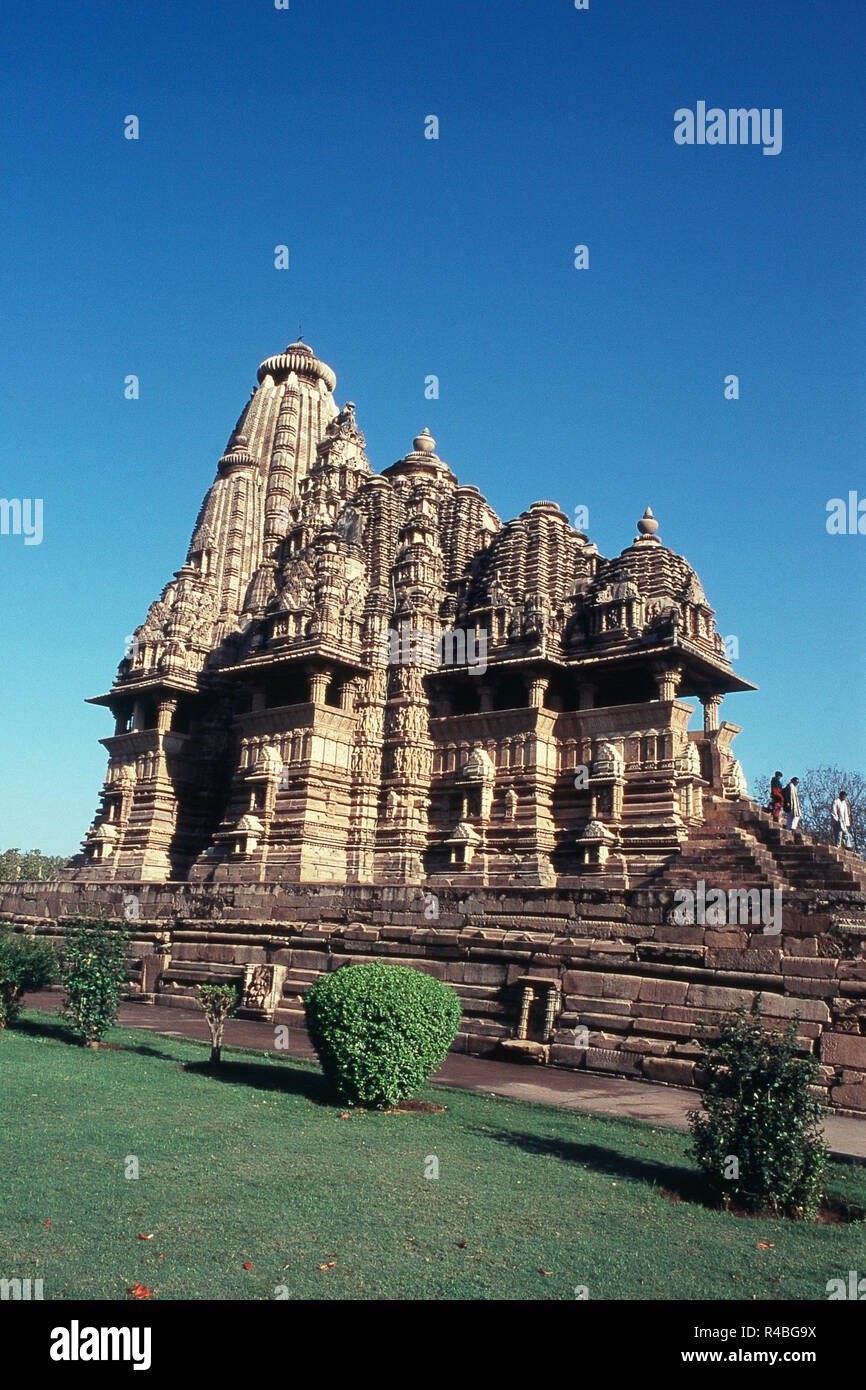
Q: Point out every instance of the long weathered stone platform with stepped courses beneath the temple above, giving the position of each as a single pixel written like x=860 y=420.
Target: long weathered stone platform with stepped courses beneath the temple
x=594 y=981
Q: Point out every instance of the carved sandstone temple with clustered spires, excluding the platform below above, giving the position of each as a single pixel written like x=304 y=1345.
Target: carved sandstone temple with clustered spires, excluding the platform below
x=369 y=679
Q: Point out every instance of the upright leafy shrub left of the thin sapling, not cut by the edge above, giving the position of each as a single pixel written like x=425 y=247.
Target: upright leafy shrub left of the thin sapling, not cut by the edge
x=94 y=971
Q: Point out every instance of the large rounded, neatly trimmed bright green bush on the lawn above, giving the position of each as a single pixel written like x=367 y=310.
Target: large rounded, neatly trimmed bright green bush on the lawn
x=382 y=1031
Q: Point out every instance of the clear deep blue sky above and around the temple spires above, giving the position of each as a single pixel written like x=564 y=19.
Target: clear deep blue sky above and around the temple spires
x=454 y=256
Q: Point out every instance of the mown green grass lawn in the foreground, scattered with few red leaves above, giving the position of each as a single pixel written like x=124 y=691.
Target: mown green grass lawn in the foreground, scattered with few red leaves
x=258 y=1167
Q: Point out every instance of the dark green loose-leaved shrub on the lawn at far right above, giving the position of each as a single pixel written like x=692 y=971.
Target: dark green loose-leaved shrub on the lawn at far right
x=761 y=1113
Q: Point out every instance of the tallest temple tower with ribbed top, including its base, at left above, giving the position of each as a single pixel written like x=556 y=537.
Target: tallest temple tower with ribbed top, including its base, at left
x=168 y=758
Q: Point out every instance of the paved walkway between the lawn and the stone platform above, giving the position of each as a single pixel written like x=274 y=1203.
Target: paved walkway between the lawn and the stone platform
x=546 y=1086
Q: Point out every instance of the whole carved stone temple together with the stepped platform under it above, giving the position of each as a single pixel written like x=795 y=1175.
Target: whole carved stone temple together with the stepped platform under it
x=366 y=718
